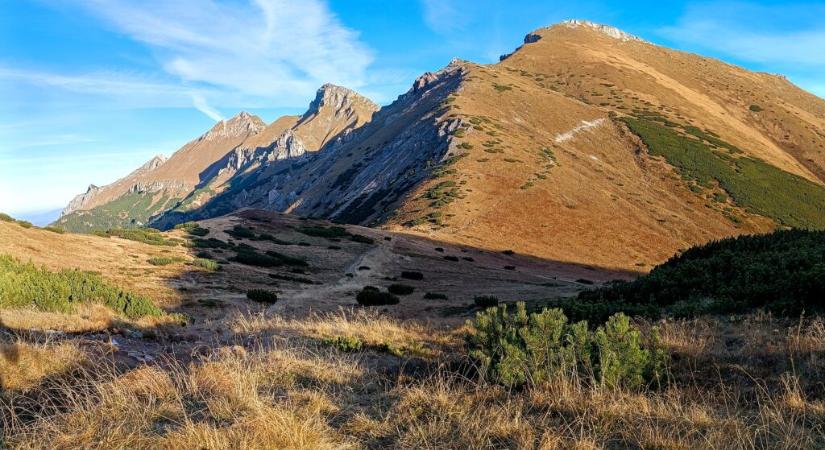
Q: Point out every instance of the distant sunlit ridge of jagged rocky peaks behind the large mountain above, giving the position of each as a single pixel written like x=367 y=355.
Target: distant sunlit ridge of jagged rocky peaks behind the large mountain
x=202 y=167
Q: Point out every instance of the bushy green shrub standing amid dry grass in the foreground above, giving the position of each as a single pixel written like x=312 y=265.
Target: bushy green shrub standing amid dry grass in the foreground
x=521 y=348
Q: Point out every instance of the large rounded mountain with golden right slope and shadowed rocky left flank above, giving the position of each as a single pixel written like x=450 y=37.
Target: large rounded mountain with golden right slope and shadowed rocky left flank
x=585 y=145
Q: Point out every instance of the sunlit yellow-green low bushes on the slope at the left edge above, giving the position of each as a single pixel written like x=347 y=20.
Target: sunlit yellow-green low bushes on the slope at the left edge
x=24 y=285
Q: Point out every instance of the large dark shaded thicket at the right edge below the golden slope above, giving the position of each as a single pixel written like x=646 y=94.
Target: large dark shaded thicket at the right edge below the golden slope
x=783 y=272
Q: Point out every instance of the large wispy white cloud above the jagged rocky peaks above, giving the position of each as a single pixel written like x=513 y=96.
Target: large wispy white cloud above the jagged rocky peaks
x=277 y=50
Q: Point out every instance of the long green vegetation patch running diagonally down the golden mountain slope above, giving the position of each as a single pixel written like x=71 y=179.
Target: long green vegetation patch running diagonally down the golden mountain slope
x=754 y=184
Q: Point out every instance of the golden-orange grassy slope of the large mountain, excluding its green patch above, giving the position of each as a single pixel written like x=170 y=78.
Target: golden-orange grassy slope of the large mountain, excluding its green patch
x=546 y=171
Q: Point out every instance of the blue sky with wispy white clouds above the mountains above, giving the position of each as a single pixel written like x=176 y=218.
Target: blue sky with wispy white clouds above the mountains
x=90 y=89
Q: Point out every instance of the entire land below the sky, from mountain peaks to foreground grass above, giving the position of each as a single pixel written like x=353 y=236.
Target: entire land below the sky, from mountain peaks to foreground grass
x=597 y=242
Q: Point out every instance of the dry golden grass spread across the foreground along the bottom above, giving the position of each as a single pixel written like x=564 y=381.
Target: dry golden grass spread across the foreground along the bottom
x=291 y=393
